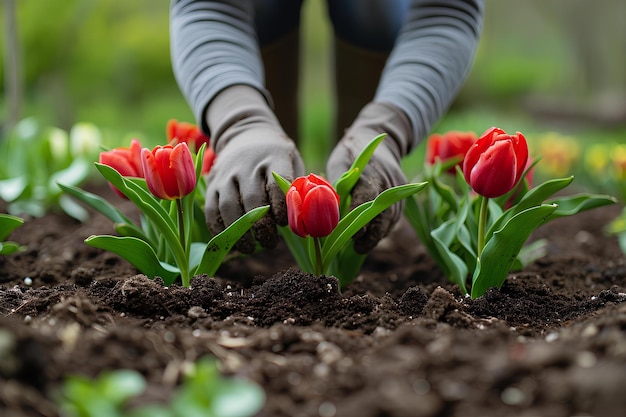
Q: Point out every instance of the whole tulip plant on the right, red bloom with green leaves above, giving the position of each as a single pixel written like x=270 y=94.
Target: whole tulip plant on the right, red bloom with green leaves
x=475 y=224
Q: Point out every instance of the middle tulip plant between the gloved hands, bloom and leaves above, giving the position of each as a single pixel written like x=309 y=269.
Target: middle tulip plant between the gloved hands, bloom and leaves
x=321 y=224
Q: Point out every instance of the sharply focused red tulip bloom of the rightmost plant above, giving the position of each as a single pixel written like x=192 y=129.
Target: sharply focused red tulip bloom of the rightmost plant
x=495 y=162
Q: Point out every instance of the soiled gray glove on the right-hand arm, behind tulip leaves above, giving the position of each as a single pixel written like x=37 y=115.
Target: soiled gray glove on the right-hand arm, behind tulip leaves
x=383 y=170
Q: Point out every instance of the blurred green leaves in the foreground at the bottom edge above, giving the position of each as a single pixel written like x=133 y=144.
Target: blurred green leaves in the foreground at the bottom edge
x=202 y=393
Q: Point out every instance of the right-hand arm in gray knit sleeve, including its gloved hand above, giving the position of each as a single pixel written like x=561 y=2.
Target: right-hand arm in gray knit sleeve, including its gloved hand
x=427 y=66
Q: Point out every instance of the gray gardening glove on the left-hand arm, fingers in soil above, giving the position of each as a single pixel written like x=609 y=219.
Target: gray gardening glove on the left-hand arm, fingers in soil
x=249 y=143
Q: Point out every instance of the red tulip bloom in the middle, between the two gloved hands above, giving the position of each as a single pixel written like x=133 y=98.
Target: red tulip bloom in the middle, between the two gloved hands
x=312 y=206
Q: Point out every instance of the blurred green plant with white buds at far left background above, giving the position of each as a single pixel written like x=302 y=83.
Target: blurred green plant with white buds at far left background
x=35 y=159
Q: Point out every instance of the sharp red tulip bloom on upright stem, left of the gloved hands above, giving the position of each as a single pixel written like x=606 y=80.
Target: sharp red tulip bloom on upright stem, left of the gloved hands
x=169 y=171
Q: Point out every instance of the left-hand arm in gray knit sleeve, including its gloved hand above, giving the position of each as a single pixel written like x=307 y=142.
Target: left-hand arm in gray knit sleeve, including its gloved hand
x=217 y=63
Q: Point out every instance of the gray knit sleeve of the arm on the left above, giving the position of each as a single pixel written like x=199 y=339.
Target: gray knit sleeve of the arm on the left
x=213 y=46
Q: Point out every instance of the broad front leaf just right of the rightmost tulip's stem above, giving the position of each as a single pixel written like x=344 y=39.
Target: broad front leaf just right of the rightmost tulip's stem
x=502 y=249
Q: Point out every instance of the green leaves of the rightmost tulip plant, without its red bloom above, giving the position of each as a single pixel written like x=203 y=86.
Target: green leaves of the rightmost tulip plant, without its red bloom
x=446 y=219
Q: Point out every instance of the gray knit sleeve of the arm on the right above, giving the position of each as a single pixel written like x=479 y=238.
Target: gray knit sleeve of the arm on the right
x=431 y=59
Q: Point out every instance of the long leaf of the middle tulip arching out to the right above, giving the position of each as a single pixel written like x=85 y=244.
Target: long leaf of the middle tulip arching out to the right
x=360 y=216
